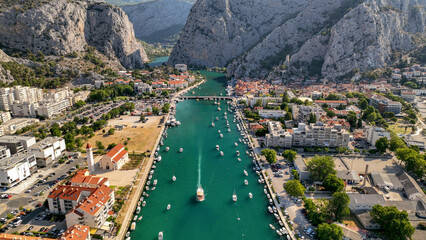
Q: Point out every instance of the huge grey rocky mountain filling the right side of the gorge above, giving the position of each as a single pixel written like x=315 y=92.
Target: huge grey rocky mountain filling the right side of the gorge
x=328 y=37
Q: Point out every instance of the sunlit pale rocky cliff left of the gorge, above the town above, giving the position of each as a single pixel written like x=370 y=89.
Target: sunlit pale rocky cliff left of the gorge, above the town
x=59 y=27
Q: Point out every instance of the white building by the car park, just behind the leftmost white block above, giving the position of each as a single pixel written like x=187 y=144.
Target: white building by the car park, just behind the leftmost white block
x=48 y=150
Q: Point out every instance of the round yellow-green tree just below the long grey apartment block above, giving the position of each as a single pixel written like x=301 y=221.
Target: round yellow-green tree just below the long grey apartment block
x=320 y=167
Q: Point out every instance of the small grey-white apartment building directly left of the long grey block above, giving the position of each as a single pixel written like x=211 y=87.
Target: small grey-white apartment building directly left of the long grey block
x=277 y=136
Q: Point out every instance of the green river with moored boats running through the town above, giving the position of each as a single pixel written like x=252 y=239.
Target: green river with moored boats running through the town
x=218 y=217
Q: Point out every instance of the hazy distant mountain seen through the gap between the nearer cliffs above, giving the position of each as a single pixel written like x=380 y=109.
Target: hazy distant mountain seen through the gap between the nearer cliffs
x=160 y=20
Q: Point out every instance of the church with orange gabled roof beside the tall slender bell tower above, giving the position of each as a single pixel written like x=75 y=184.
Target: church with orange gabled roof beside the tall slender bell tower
x=114 y=159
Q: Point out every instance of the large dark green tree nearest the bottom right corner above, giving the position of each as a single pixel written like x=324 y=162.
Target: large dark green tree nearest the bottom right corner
x=395 y=223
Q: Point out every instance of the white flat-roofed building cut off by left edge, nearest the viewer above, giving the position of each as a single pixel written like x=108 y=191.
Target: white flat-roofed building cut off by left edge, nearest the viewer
x=16 y=168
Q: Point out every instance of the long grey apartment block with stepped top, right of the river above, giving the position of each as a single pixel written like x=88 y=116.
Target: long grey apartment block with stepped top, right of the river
x=319 y=135
